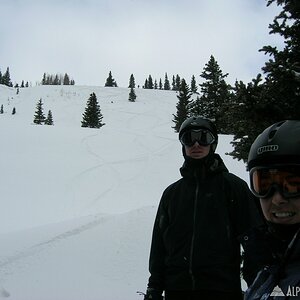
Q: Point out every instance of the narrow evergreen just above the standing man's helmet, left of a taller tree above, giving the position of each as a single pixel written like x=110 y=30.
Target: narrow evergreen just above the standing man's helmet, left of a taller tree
x=183 y=105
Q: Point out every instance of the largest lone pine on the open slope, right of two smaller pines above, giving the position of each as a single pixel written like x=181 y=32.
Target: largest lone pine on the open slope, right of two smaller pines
x=92 y=117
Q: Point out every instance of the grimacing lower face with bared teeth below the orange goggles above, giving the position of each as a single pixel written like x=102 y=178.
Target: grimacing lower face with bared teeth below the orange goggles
x=279 y=210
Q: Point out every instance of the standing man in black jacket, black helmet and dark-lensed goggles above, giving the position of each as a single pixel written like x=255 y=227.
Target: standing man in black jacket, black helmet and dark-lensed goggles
x=195 y=251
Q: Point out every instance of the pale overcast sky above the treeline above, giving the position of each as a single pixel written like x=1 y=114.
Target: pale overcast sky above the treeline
x=89 y=38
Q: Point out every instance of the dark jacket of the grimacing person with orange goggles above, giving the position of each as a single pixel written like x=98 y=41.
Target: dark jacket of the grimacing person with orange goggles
x=278 y=257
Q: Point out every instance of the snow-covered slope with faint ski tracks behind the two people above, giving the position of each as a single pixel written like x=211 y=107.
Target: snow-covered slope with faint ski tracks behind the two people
x=78 y=204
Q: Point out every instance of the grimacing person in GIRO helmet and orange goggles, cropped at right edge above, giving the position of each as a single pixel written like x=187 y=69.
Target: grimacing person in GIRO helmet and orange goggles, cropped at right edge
x=274 y=168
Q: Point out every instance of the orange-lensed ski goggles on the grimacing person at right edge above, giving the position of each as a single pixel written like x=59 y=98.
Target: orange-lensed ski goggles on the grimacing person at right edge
x=264 y=181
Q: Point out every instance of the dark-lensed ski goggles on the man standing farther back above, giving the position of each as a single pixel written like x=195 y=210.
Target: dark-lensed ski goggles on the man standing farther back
x=203 y=136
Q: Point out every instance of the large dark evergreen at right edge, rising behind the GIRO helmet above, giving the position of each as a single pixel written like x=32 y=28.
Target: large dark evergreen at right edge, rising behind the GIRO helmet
x=262 y=103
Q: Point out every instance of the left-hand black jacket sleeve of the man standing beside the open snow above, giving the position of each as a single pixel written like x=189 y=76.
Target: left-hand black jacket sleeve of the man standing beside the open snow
x=157 y=250
